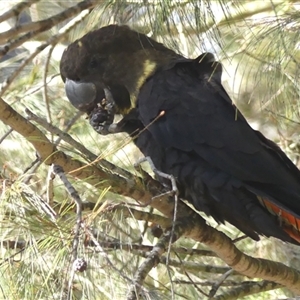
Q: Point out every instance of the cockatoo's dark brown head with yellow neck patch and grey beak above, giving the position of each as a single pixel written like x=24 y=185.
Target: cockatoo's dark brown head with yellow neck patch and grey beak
x=113 y=57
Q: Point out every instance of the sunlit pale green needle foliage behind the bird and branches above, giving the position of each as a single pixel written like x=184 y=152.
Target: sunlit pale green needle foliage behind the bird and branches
x=258 y=44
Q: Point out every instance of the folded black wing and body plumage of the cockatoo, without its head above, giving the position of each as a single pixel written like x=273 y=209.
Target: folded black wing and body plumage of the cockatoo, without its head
x=226 y=161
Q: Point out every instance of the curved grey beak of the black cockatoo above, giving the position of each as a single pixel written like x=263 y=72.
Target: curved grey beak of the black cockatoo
x=81 y=94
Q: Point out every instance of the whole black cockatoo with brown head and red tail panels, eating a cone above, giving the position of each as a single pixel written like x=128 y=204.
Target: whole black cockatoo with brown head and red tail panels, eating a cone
x=179 y=115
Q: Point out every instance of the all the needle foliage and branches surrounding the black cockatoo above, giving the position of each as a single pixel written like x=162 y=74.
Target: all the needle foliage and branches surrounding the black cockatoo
x=96 y=210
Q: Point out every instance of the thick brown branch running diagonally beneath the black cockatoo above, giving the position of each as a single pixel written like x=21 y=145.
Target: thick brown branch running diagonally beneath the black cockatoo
x=193 y=226
